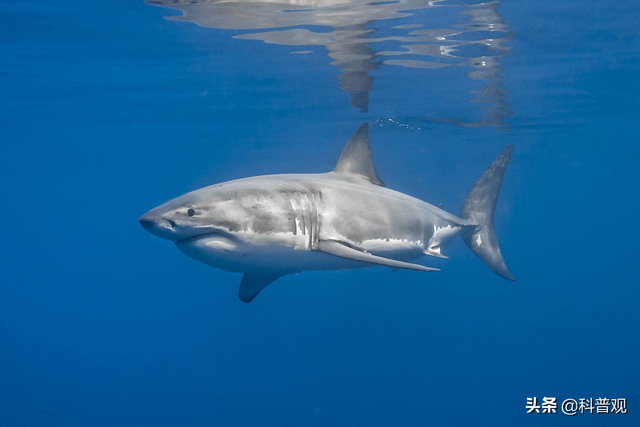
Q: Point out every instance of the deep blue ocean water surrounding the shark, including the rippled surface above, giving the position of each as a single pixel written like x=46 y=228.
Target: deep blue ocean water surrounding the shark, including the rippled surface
x=111 y=108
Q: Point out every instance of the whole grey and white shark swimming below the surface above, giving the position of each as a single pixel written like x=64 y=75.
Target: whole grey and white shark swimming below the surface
x=269 y=226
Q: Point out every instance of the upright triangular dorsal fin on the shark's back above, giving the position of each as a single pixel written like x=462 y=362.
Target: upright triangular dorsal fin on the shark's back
x=356 y=158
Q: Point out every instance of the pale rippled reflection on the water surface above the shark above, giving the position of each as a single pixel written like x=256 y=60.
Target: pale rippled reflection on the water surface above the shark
x=474 y=38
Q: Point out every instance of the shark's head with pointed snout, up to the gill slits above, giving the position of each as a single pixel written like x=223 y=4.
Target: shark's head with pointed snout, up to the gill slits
x=219 y=224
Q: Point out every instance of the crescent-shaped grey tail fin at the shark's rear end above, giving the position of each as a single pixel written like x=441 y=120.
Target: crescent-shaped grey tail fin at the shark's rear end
x=479 y=207
